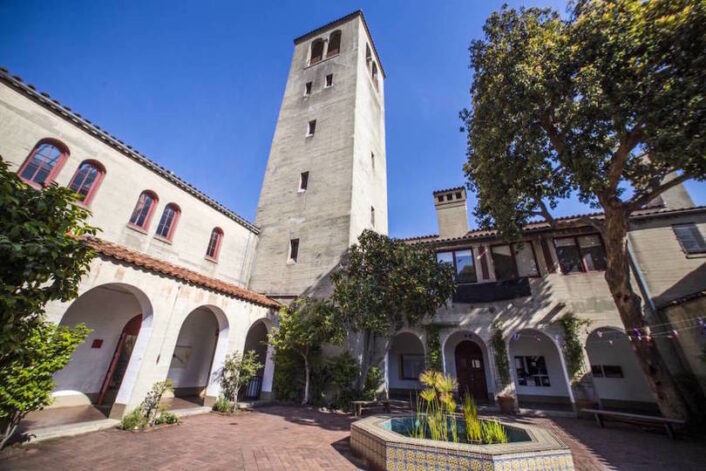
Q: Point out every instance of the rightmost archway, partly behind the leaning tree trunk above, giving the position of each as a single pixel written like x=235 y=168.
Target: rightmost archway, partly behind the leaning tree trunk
x=620 y=383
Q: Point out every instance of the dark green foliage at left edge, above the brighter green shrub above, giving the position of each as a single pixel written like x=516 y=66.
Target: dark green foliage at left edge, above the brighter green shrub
x=41 y=257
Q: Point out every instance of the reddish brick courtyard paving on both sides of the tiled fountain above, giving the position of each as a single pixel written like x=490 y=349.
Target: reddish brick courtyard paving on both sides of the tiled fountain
x=281 y=437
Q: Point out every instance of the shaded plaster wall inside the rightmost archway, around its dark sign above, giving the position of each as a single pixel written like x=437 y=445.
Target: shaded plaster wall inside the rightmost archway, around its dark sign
x=633 y=385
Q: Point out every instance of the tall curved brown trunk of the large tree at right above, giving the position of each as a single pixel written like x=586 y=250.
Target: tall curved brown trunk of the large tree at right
x=628 y=303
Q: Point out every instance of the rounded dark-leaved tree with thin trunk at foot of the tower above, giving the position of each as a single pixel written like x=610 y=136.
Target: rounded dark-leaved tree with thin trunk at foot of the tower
x=384 y=284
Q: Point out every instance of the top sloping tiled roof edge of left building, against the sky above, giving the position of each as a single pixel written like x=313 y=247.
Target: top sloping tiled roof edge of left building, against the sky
x=75 y=118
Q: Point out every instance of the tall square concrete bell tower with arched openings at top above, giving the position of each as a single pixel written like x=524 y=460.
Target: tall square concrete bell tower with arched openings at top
x=326 y=178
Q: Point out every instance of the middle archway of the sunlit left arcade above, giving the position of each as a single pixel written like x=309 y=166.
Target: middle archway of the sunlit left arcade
x=195 y=355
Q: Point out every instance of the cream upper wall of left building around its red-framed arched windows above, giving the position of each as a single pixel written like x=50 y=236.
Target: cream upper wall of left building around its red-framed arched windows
x=25 y=122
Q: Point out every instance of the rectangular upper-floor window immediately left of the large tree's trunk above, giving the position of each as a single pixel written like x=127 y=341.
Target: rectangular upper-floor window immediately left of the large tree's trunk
x=580 y=254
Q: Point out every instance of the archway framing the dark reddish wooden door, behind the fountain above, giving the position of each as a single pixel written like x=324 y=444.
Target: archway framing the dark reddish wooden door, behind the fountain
x=466 y=357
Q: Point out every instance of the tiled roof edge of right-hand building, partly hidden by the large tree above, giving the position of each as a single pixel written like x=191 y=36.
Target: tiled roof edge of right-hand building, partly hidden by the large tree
x=565 y=221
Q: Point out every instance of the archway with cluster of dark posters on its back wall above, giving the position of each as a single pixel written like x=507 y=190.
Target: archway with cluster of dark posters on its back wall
x=538 y=371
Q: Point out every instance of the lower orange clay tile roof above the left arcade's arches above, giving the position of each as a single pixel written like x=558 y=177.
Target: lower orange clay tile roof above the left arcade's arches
x=118 y=252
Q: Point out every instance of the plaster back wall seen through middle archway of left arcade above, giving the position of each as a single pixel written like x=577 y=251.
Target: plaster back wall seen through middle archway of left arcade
x=200 y=331
